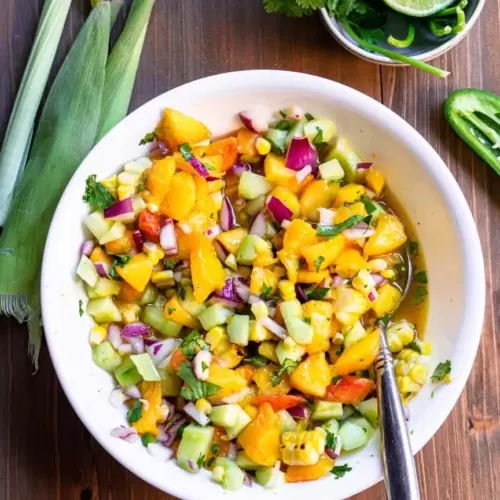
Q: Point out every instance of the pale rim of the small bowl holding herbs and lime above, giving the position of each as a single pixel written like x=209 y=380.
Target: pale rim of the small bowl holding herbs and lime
x=333 y=27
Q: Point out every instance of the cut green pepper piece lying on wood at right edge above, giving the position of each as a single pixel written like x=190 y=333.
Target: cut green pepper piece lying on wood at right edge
x=475 y=116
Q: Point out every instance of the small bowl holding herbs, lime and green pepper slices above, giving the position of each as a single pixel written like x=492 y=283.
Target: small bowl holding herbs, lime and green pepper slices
x=421 y=50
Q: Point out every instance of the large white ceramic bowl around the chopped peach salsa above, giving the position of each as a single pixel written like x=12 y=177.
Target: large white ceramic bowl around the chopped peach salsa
x=413 y=170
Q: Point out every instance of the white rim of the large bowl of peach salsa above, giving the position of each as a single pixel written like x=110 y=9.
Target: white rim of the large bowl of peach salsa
x=441 y=176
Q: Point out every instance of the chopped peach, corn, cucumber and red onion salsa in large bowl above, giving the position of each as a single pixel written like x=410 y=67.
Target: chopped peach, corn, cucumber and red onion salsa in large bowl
x=236 y=286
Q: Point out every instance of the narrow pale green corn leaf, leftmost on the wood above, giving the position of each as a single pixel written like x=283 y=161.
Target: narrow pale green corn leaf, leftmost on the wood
x=18 y=136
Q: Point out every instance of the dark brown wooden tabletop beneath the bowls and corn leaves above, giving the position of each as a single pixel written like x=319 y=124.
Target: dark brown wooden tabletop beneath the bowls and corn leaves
x=45 y=452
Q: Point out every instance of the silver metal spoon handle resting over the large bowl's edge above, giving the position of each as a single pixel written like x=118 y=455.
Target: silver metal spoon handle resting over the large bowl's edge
x=399 y=467
